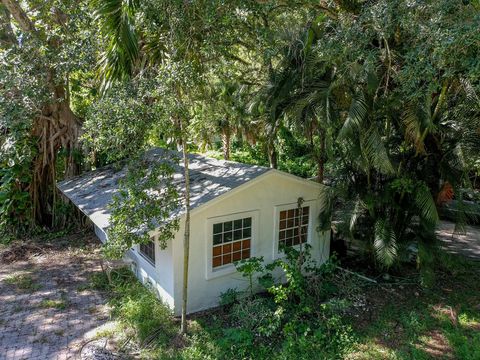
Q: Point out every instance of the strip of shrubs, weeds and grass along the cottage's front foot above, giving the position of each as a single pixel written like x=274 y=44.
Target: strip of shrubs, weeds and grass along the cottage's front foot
x=319 y=313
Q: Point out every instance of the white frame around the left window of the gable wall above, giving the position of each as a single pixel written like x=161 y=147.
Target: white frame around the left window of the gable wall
x=210 y=271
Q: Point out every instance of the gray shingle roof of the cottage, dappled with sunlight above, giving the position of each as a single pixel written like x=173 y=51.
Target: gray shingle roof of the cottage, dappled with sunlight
x=92 y=192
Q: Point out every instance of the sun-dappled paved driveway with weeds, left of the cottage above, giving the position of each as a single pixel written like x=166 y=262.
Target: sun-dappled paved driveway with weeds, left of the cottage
x=46 y=308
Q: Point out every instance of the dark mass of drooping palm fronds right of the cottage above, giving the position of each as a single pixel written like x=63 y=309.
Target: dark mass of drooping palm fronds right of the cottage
x=398 y=127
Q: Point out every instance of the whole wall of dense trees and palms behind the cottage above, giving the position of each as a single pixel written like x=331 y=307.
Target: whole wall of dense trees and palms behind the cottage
x=377 y=99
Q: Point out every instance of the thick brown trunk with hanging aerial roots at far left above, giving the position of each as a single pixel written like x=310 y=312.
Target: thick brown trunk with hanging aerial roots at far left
x=56 y=128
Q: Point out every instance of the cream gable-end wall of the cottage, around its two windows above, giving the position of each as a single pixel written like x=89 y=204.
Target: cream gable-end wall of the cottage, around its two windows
x=261 y=199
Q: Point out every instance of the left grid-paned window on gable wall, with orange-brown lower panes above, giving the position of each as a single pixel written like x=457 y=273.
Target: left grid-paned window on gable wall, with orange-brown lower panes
x=231 y=241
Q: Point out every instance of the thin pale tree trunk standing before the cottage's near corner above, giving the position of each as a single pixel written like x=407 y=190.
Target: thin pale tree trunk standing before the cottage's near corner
x=186 y=237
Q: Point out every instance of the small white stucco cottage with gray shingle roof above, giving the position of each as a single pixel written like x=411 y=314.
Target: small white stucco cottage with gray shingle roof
x=238 y=211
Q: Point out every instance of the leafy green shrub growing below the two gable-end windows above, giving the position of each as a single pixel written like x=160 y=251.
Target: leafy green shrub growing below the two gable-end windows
x=300 y=318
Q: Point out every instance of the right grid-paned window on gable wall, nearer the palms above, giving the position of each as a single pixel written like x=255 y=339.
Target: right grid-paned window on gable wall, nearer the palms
x=293 y=226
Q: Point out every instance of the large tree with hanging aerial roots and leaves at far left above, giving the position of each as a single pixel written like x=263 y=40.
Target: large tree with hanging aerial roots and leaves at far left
x=44 y=49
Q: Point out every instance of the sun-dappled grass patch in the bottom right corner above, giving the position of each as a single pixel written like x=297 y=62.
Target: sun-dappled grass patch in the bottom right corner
x=414 y=323
